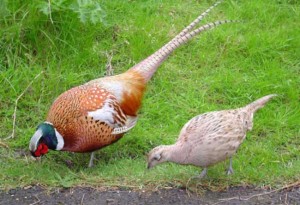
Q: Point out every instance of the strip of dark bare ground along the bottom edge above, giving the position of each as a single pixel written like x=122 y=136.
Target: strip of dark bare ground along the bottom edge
x=90 y=196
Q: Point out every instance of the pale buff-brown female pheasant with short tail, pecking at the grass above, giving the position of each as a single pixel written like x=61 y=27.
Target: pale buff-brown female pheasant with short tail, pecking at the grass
x=209 y=138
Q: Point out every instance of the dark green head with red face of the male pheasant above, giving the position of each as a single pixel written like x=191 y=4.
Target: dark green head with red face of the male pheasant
x=45 y=137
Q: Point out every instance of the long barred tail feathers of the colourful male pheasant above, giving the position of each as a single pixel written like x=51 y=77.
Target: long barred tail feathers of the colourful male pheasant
x=148 y=66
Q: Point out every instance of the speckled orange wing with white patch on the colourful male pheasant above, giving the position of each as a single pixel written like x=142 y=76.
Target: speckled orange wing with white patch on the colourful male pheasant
x=87 y=101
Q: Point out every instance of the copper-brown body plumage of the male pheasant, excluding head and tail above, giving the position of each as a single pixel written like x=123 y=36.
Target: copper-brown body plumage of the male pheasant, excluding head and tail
x=83 y=133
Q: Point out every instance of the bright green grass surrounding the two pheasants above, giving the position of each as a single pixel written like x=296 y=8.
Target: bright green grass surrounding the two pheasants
x=224 y=68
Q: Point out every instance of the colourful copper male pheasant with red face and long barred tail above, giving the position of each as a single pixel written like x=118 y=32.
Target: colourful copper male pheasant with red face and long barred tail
x=98 y=113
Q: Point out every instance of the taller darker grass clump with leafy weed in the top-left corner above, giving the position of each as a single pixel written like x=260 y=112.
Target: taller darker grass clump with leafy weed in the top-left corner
x=36 y=31
